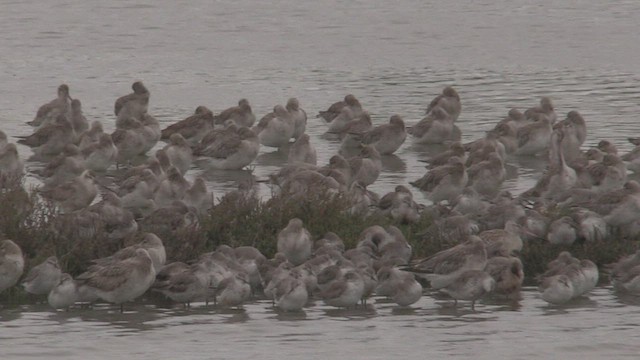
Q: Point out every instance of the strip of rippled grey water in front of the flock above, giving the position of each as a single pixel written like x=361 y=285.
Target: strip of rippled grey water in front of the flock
x=497 y=329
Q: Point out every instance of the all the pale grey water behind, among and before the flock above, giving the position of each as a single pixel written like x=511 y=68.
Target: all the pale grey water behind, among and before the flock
x=394 y=56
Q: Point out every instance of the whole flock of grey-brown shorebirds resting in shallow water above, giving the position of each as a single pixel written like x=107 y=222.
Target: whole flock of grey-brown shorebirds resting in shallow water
x=583 y=195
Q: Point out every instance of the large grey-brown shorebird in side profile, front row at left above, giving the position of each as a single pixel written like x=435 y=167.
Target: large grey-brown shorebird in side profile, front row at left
x=121 y=281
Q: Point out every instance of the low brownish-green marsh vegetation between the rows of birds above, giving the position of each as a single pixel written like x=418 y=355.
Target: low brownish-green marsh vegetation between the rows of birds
x=40 y=230
